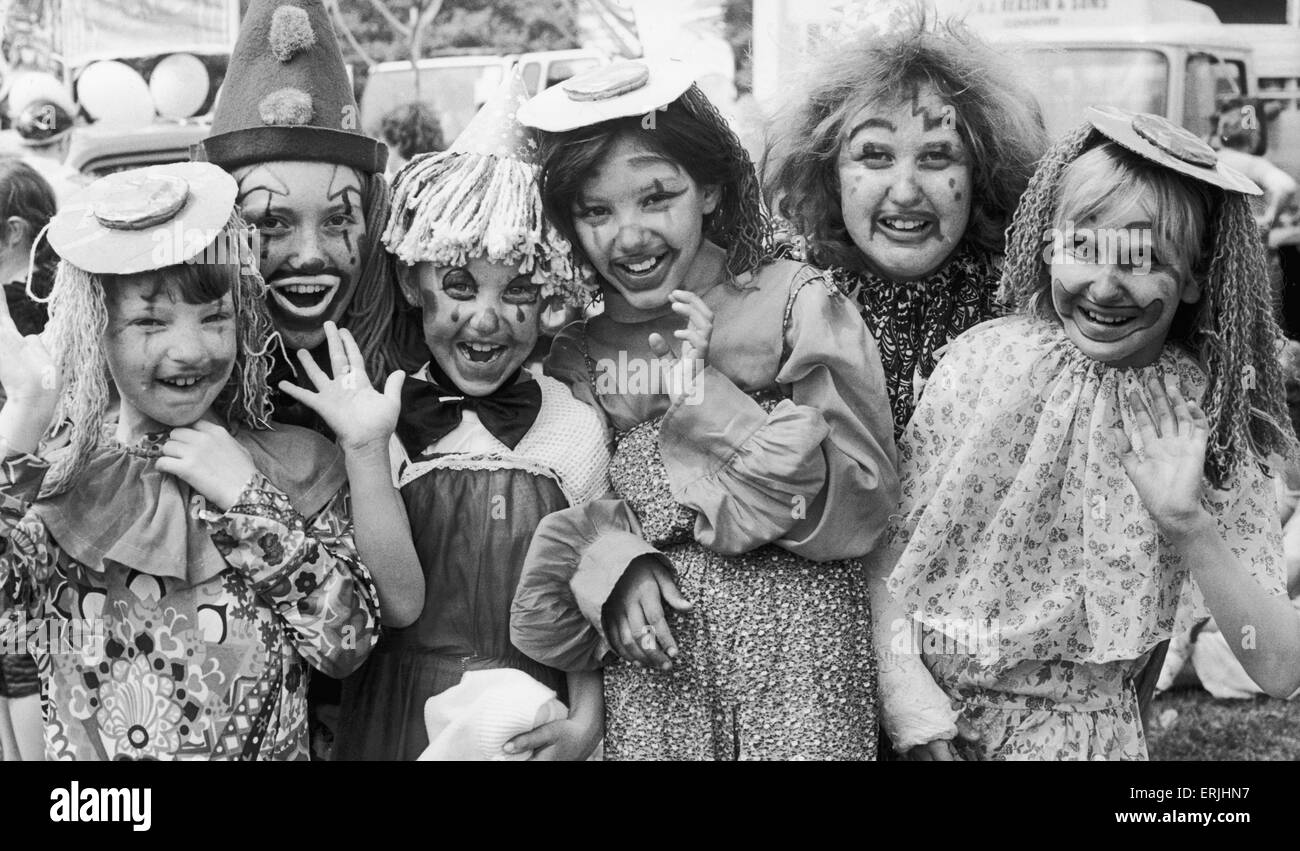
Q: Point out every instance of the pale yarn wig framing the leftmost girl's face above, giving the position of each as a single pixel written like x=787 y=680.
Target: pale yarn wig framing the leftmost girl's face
x=79 y=323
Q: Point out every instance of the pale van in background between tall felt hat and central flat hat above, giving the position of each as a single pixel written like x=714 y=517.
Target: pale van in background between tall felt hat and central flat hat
x=456 y=86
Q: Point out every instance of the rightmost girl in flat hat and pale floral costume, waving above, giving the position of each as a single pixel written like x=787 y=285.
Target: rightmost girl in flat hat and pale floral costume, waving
x=1087 y=477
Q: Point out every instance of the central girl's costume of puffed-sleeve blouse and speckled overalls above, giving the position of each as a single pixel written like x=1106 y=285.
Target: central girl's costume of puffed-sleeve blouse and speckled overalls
x=760 y=500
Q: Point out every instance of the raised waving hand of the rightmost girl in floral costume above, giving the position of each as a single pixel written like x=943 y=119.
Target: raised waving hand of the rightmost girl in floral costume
x=1167 y=472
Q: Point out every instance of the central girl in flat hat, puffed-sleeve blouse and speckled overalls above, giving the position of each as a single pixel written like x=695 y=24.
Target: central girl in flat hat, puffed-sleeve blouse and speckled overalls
x=755 y=451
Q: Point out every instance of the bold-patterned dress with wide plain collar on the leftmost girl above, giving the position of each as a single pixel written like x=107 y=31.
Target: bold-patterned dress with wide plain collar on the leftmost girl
x=167 y=629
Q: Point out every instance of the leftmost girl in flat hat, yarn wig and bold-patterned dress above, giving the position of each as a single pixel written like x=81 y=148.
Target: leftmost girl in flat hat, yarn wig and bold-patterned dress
x=192 y=561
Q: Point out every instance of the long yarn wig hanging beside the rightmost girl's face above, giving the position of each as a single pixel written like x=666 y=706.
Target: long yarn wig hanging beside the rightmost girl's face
x=1230 y=331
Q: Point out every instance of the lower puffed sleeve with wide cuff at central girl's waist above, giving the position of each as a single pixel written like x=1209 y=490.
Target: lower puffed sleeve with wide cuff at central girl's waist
x=573 y=566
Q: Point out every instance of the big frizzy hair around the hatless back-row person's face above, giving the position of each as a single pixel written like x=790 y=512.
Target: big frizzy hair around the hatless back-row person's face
x=998 y=119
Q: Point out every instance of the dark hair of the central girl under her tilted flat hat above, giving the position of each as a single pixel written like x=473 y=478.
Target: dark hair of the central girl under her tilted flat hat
x=694 y=134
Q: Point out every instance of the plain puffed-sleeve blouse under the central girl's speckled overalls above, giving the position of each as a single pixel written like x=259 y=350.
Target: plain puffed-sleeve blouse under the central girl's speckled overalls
x=814 y=475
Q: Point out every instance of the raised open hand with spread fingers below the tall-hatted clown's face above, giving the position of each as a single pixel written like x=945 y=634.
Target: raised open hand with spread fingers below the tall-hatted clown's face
x=361 y=416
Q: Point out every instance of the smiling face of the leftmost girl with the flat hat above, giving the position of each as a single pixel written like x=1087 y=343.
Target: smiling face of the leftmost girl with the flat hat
x=168 y=358
